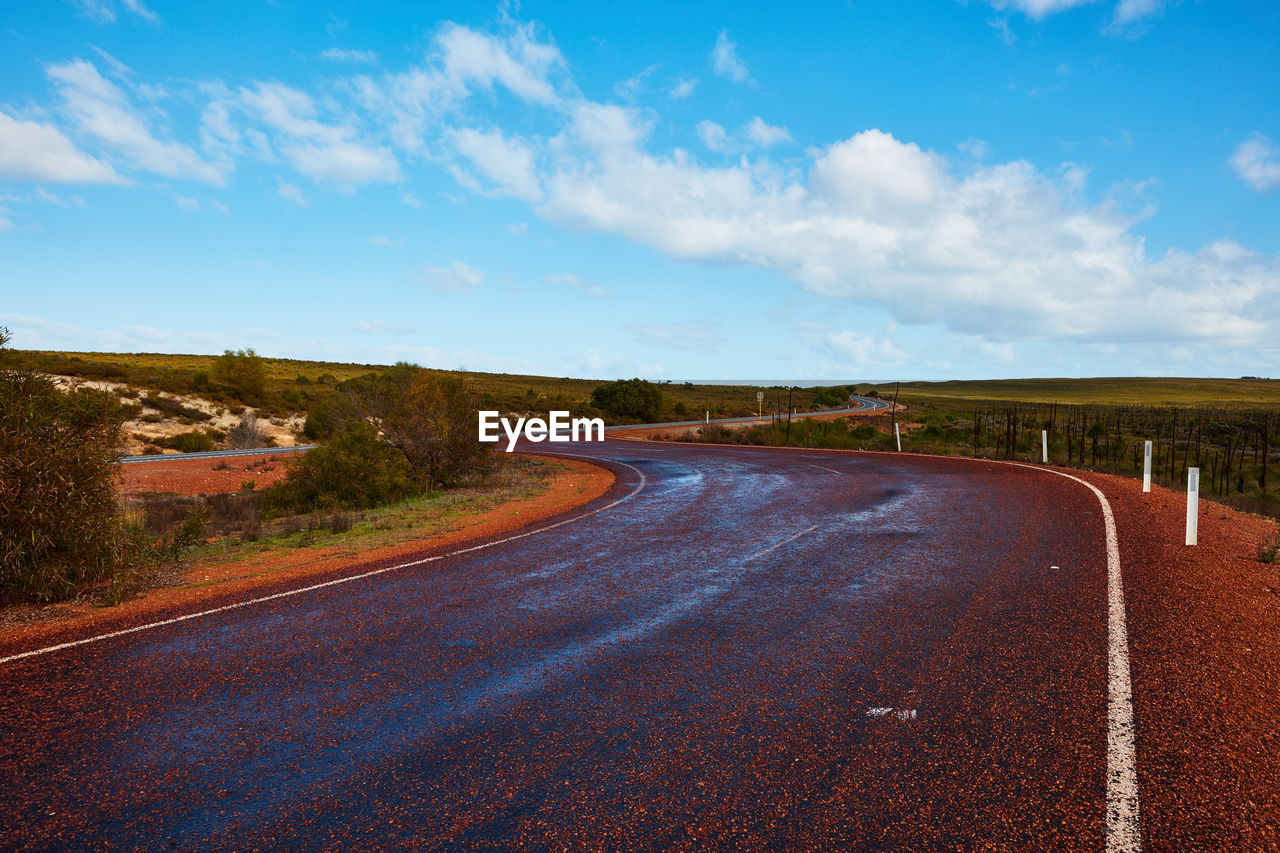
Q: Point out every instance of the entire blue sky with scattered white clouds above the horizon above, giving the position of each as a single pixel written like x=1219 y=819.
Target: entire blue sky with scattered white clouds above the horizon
x=938 y=190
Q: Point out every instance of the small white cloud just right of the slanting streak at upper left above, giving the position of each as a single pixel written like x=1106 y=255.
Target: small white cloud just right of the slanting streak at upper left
x=324 y=153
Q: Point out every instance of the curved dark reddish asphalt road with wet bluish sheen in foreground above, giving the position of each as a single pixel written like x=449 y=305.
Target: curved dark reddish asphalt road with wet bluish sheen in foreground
x=735 y=649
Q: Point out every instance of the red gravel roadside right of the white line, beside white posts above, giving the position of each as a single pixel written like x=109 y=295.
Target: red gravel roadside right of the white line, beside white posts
x=1205 y=650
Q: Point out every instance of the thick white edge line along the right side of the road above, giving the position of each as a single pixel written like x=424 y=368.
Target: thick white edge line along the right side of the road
x=1124 y=831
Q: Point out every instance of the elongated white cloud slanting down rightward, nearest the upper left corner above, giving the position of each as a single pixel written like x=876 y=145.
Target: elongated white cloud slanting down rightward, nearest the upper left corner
x=103 y=111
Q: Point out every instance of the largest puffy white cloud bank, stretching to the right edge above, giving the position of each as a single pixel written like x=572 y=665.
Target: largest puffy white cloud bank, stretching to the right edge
x=1002 y=252
